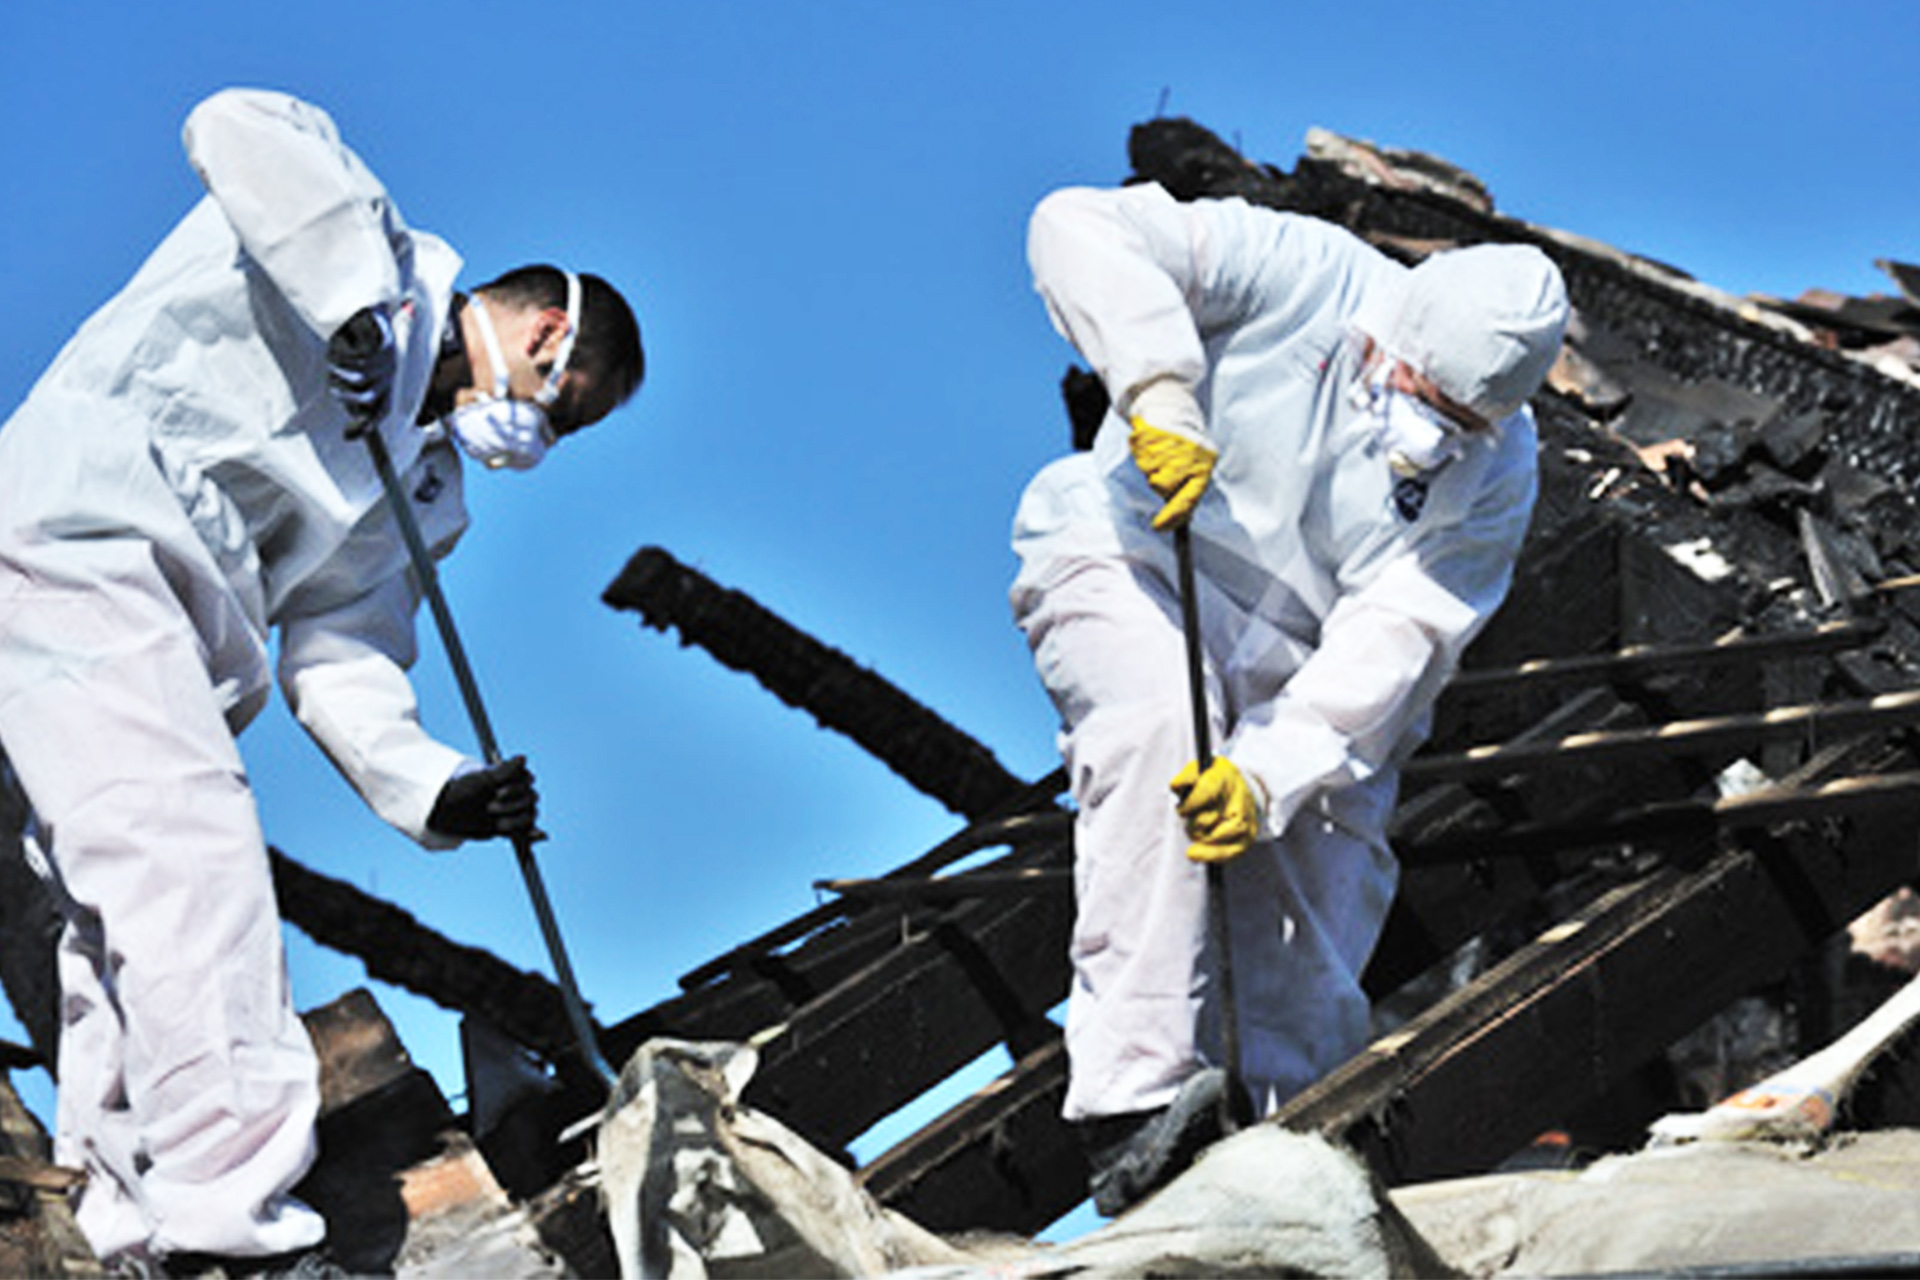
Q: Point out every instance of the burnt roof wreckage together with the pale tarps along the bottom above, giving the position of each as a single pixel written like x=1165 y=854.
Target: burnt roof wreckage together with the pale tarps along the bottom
x=1658 y=849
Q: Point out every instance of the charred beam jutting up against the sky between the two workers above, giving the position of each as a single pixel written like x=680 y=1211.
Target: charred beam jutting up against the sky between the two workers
x=840 y=694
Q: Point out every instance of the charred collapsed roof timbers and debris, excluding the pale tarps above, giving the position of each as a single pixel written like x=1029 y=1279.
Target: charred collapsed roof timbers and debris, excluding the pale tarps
x=1675 y=769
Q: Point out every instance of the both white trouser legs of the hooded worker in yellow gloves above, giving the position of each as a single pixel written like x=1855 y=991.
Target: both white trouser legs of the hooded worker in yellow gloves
x=1305 y=913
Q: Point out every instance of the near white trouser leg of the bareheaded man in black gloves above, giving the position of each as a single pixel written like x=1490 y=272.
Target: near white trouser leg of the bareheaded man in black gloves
x=189 y=1085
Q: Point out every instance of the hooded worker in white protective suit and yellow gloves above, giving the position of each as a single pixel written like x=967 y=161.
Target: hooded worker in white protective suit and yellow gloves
x=1351 y=448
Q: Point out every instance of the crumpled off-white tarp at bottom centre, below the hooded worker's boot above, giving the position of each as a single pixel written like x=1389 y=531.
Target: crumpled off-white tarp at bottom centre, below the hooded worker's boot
x=698 y=1187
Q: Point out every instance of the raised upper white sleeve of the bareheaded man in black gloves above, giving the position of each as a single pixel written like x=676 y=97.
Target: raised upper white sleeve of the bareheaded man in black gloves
x=304 y=206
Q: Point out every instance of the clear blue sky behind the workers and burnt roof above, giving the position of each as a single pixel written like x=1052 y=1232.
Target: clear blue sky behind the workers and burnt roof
x=819 y=214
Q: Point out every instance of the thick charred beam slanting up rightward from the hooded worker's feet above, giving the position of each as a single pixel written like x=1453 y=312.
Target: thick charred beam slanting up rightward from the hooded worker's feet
x=1558 y=1024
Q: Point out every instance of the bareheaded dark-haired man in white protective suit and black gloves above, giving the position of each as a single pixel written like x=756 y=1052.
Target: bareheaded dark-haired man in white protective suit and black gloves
x=185 y=477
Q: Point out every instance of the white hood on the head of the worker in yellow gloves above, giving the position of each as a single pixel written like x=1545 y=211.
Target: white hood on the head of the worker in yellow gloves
x=1483 y=323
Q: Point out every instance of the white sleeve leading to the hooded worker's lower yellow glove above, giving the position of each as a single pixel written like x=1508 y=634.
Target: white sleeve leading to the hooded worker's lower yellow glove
x=1387 y=650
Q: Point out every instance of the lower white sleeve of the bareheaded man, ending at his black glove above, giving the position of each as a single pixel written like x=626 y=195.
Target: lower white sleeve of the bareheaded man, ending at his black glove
x=345 y=676
